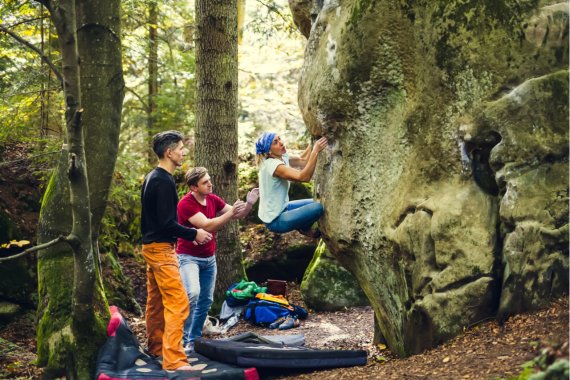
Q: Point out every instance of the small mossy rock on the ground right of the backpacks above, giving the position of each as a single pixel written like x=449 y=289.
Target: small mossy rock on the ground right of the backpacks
x=329 y=286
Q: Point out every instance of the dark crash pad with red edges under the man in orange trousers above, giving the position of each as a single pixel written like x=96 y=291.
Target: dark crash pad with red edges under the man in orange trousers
x=122 y=357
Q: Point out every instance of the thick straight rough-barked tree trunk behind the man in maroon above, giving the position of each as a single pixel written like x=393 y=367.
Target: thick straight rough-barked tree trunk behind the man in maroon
x=216 y=121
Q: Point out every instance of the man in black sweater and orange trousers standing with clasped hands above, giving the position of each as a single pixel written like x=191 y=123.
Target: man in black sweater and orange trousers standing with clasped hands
x=167 y=303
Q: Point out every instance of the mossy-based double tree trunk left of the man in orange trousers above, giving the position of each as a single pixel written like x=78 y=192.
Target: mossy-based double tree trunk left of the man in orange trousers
x=69 y=345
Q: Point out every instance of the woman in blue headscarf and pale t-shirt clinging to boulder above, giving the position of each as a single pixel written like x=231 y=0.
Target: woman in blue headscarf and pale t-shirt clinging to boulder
x=276 y=169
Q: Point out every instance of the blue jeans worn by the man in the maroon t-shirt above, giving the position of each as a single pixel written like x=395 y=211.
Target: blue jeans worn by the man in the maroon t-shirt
x=199 y=278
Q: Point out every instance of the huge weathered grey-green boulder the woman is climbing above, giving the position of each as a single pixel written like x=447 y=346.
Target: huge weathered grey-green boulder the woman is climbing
x=445 y=184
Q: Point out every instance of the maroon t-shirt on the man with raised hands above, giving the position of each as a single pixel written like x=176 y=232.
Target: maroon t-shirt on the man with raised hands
x=187 y=208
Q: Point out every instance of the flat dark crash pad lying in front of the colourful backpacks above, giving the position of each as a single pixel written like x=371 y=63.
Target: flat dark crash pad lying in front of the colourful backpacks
x=272 y=355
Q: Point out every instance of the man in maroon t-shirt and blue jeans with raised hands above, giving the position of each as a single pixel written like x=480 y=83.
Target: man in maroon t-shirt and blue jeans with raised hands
x=200 y=208
